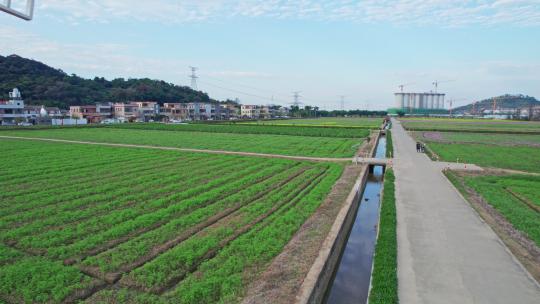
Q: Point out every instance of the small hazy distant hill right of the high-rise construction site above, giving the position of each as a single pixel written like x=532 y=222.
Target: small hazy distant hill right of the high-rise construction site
x=503 y=102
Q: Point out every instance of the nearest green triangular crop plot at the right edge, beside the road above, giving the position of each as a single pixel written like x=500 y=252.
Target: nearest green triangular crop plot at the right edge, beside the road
x=515 y=197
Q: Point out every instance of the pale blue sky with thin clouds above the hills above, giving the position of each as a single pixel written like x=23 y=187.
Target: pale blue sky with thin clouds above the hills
x=261 y=51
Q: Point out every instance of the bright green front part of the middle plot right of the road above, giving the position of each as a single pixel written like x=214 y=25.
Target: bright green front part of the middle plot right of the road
x=522 y=158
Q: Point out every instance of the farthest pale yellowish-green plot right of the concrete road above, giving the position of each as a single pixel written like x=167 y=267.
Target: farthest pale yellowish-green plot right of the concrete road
x=471 y=125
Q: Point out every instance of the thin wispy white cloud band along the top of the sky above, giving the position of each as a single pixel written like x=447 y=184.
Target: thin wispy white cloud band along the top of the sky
x=439 y=12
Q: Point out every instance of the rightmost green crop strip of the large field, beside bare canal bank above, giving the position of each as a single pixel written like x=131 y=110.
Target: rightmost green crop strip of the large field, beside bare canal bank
x=225 y=277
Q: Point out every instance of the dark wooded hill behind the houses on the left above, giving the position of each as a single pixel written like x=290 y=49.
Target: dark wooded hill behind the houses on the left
x=42 y=84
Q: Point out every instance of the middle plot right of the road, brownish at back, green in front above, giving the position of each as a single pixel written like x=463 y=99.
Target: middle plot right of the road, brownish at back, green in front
x=507 y=151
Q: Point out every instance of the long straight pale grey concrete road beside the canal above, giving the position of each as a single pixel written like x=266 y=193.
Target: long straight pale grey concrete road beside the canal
x=446 y=253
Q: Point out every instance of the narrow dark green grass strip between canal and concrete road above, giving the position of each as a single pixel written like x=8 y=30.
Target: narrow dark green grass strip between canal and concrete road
x=384 y=283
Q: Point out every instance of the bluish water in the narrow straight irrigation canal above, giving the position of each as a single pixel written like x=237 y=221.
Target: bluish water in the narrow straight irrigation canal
x=350 y=283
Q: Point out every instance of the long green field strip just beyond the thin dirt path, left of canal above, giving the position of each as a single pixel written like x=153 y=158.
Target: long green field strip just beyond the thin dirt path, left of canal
x=260 y=143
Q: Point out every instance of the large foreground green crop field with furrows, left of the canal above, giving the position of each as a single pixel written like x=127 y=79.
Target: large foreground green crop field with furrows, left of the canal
x=113 y=224
